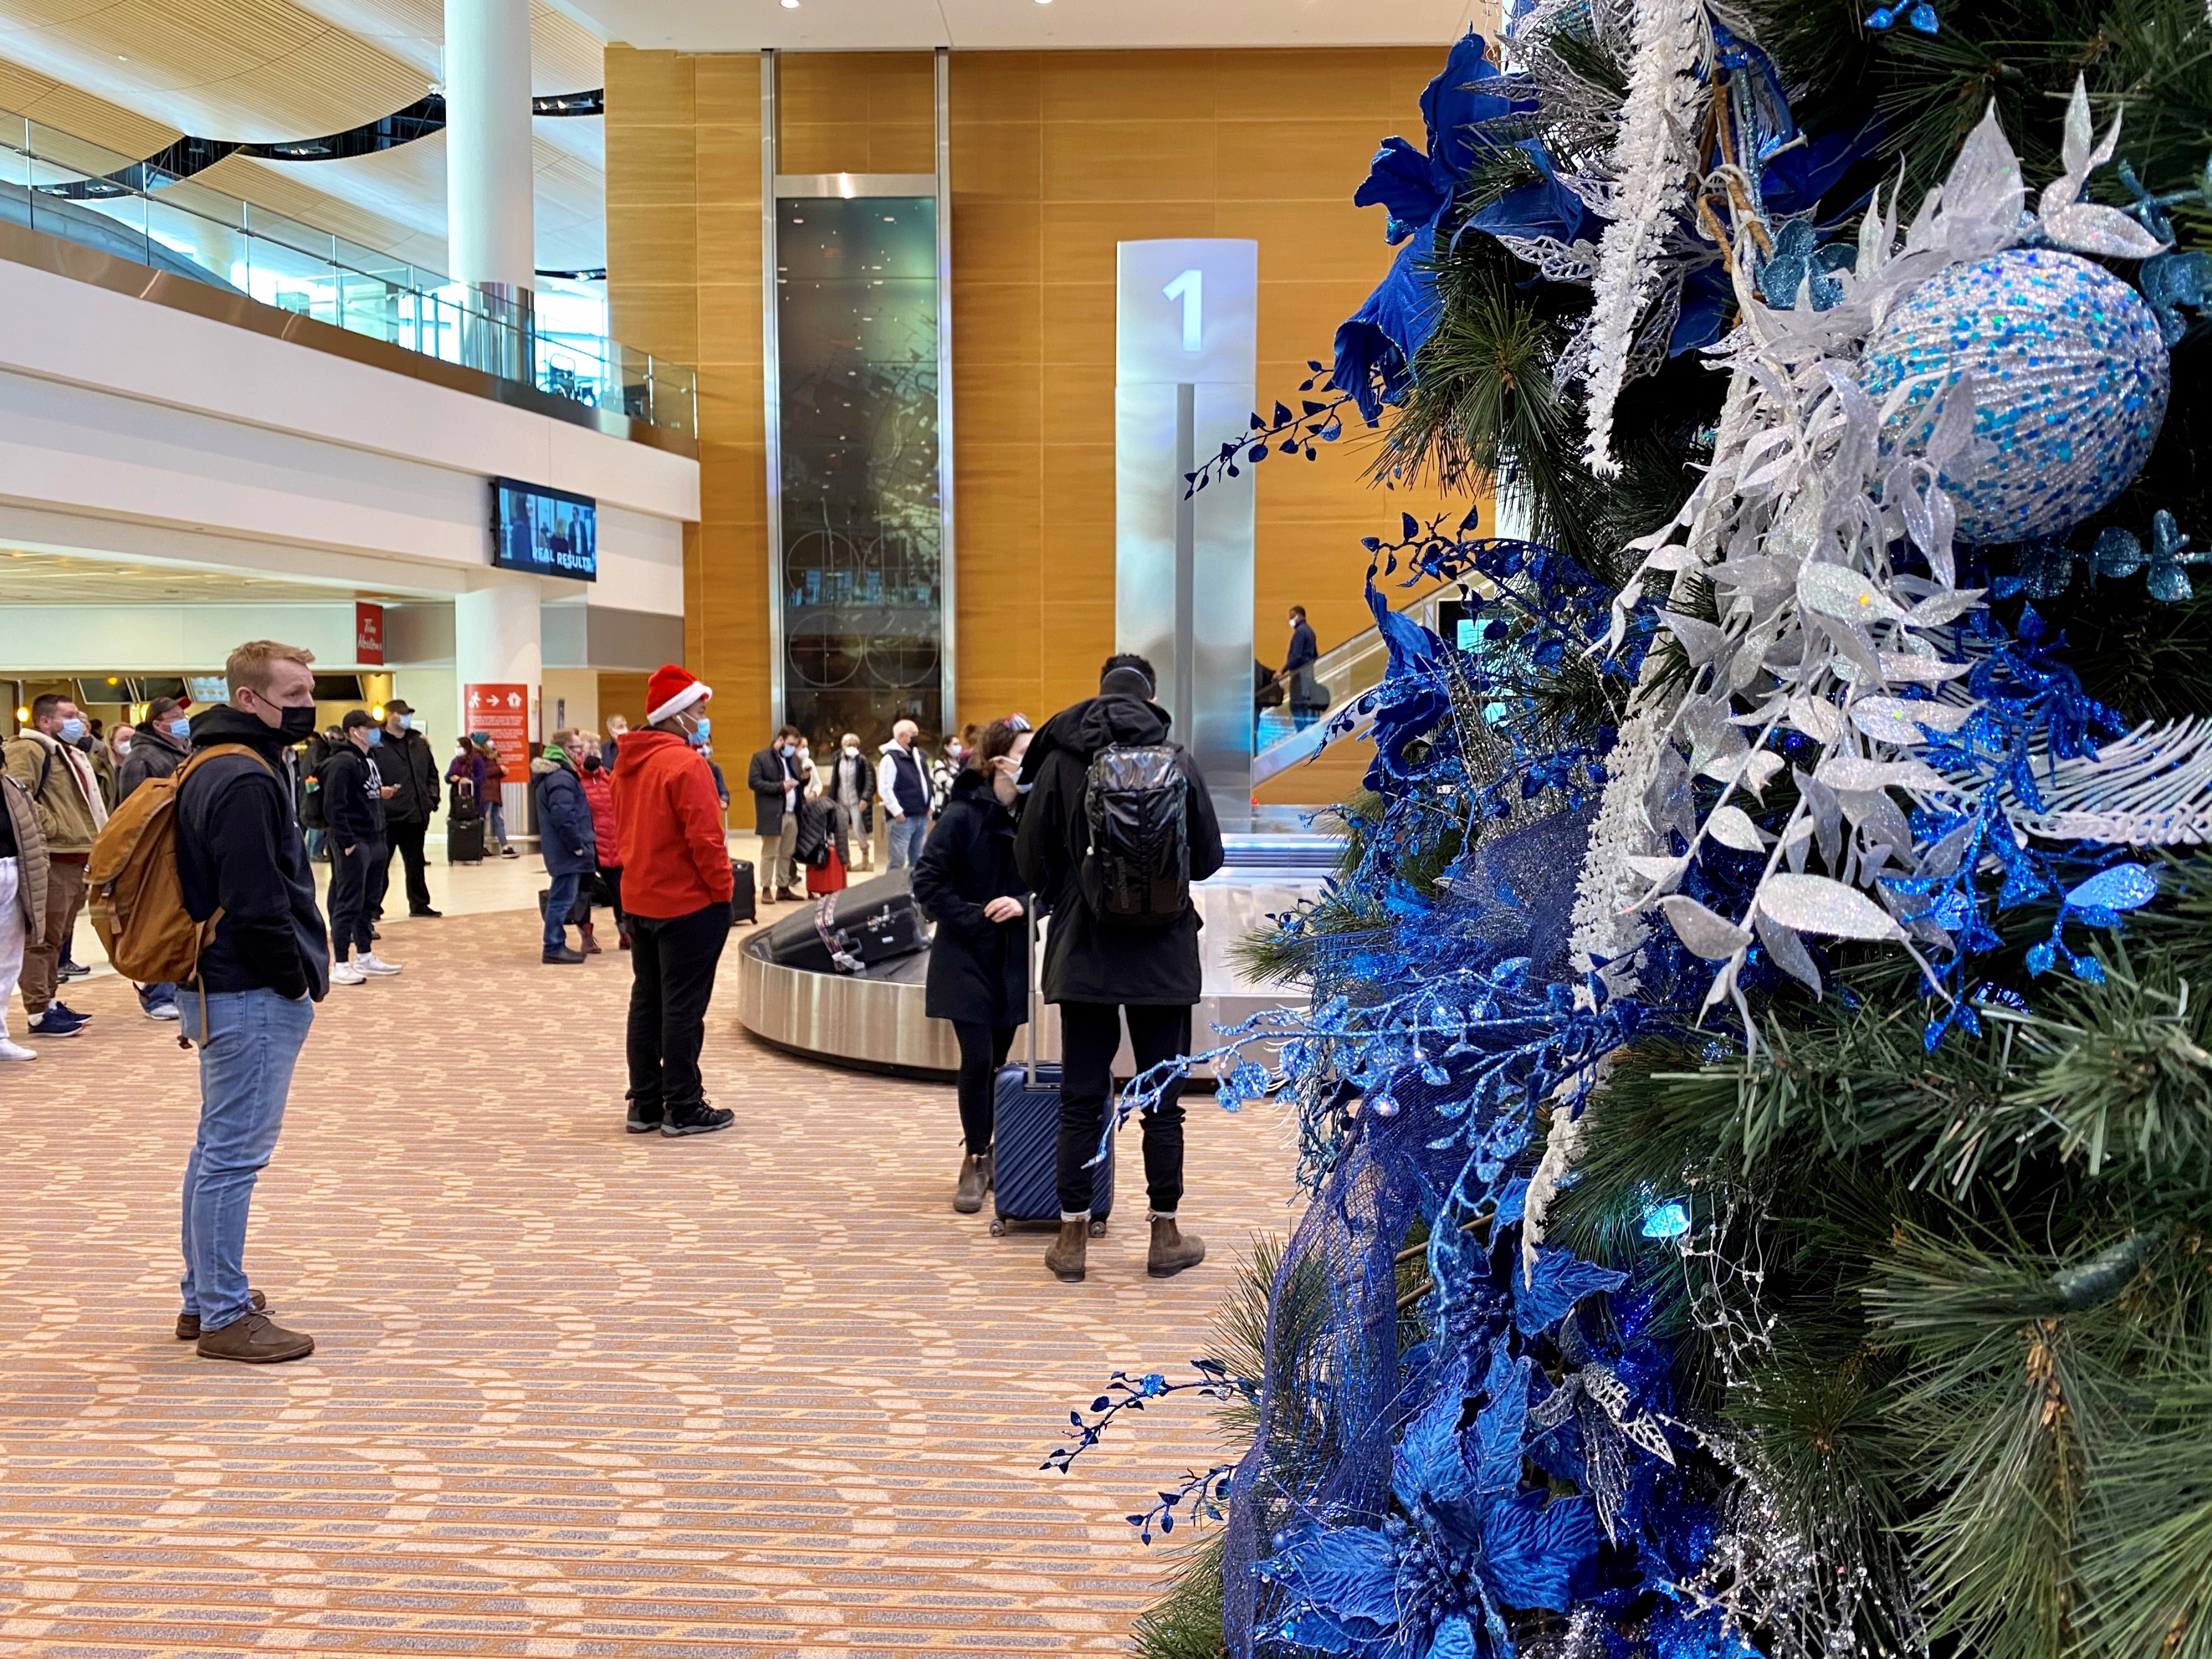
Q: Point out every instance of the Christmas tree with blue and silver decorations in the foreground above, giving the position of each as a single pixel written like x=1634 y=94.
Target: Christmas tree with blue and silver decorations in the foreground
x=1757 y=1089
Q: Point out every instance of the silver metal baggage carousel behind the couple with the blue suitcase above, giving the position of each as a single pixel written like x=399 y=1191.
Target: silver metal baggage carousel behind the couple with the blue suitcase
x=875 y=1021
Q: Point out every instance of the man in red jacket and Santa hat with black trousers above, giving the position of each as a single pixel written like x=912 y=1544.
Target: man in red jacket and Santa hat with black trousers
x=676 y=890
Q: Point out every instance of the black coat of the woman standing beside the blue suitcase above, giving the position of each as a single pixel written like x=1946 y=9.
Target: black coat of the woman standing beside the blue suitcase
x=979 y=970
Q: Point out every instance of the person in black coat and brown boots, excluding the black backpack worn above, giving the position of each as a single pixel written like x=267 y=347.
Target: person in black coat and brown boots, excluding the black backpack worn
x=1100 y=970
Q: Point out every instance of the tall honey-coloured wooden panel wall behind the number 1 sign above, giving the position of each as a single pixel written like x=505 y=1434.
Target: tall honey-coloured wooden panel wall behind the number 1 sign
x=1056 y=158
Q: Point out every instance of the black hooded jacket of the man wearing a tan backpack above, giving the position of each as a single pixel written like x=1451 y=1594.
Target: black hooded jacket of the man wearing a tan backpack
x=240 y=851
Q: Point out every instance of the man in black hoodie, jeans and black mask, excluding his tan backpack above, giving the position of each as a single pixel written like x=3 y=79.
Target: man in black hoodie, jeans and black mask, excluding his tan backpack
x=262 y=970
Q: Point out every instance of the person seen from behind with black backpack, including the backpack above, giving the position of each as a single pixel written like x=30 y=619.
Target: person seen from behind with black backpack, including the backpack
x=1125 y=937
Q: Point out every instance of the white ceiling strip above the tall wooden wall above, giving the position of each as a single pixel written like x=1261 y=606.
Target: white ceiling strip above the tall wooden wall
x=1025 y=25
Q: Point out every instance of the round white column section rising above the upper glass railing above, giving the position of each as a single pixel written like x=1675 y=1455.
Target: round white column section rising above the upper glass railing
x=488 y=147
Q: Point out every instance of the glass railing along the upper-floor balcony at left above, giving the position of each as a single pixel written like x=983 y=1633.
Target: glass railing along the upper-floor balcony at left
x=96 y=198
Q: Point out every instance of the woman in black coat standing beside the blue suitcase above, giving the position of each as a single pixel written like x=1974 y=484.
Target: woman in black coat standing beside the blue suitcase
x=979 y=961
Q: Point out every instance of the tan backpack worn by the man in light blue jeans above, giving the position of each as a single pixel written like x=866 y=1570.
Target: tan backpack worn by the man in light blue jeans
x=134 y=890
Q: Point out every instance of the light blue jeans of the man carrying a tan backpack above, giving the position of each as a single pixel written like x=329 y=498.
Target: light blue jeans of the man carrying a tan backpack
x=244 y=1078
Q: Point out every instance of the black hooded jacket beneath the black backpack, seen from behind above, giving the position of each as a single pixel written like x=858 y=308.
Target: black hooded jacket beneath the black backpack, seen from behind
x=1085 y=959
